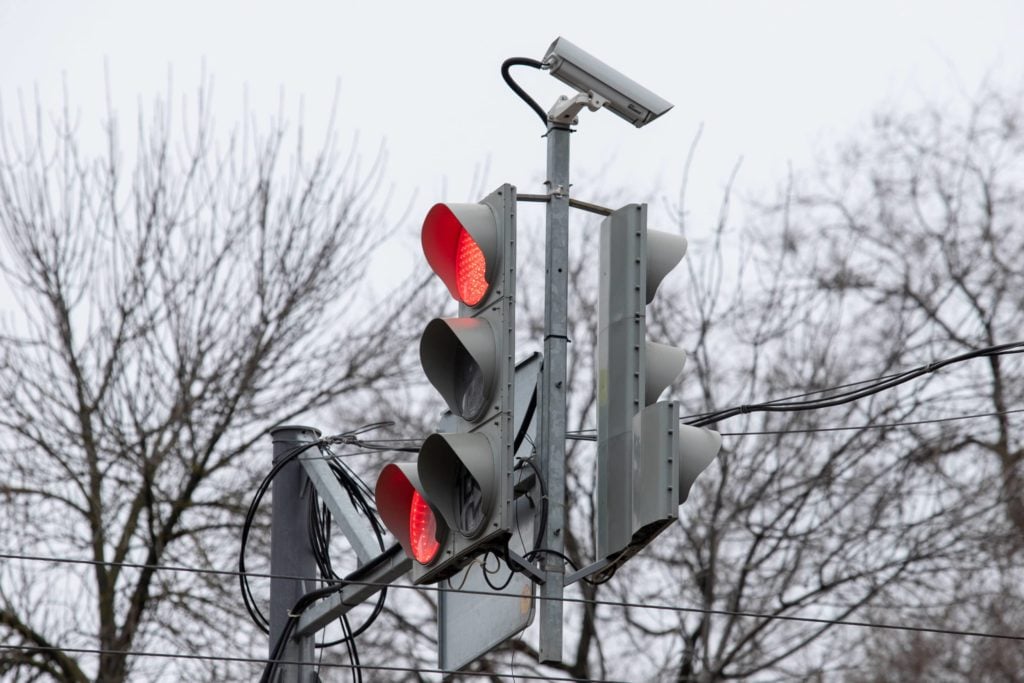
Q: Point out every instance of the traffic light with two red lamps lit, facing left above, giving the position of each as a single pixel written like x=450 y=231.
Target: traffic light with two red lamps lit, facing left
x=456 y=502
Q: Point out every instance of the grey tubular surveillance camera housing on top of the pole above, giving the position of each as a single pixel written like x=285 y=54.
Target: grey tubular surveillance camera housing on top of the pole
x=626 y=98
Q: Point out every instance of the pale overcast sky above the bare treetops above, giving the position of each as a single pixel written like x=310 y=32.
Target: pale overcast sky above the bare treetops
x=770 y=81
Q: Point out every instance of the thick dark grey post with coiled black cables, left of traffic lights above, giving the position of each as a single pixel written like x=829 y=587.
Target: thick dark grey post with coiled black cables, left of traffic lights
x=291 y=553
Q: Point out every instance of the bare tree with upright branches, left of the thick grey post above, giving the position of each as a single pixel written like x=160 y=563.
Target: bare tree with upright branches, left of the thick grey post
x=166 y=313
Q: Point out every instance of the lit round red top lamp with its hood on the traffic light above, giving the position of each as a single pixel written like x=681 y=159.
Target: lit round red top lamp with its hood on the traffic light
x=460 y=242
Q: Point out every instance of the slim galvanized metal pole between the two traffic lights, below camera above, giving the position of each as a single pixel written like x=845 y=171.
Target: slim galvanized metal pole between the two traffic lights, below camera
x=552 y=435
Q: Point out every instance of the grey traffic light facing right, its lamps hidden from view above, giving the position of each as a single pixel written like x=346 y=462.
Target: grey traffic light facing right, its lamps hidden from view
x=648 y=461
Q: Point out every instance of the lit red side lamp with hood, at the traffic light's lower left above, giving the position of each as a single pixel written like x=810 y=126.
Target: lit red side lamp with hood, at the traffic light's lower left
x=407 y=515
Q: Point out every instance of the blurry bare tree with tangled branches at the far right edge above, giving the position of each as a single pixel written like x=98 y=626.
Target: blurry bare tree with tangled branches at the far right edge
x=923 y=225
